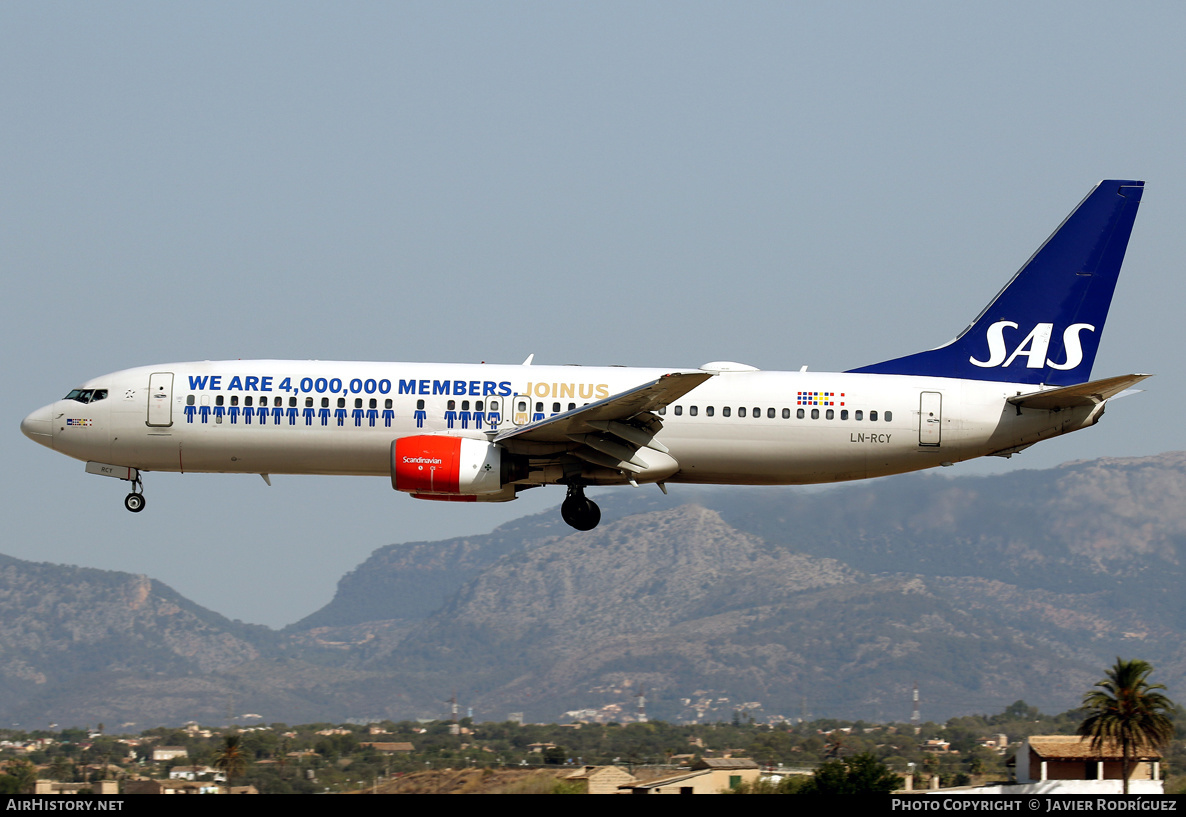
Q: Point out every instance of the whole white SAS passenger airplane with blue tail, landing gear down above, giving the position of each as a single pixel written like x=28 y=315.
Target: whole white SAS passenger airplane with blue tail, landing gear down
x=1017 y=375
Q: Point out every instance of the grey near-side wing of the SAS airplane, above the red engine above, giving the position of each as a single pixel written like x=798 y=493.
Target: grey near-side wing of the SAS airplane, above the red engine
x=607 y=416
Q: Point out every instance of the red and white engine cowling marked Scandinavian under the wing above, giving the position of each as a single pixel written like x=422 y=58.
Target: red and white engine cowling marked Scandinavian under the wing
x=452 y=467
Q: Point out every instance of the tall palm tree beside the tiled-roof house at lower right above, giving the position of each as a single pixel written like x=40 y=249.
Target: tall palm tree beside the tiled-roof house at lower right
x=1126 y=710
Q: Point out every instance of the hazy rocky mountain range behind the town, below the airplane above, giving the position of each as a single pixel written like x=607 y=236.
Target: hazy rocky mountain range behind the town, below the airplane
x=836 y=603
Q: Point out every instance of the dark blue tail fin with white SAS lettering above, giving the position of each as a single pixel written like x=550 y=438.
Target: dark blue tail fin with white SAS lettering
x=1044 y=328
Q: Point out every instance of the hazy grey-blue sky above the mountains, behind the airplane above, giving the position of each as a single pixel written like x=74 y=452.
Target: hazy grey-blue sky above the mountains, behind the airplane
x=654 y=184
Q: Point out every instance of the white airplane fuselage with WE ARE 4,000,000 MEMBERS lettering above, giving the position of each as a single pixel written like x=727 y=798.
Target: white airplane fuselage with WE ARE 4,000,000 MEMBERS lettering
x=742 y=427
